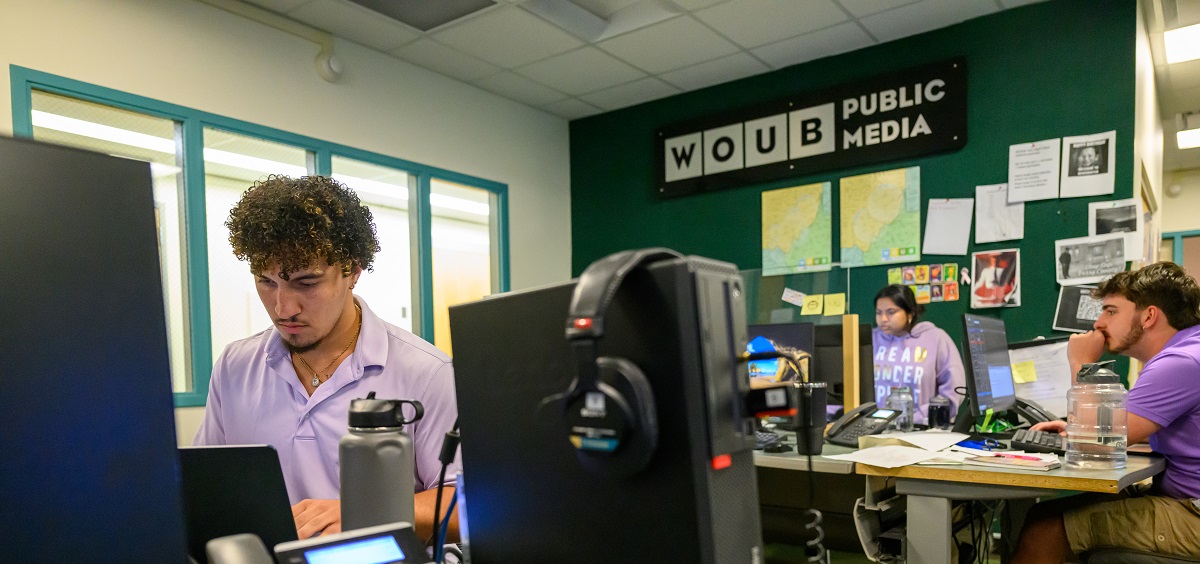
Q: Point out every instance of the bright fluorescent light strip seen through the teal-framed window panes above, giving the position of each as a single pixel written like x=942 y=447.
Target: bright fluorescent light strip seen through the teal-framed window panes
x=142 y=141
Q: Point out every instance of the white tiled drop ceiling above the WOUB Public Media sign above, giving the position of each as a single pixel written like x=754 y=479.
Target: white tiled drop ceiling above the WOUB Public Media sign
x=631 y=51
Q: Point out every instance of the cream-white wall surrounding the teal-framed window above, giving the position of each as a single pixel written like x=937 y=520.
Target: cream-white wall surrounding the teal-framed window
x=200 y=57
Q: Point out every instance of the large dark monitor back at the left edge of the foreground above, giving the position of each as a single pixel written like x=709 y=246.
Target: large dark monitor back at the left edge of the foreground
x=88 y=460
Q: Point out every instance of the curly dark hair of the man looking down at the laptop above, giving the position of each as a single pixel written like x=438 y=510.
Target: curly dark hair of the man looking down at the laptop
x=298 y=223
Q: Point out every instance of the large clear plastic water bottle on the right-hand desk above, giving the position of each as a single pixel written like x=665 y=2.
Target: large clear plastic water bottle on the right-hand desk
x=1097 y=431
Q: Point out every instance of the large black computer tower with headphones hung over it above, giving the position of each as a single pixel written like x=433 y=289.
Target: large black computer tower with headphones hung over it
x=527 y=496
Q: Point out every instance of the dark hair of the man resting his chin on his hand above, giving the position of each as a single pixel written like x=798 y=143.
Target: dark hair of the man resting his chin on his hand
x=1161 y=285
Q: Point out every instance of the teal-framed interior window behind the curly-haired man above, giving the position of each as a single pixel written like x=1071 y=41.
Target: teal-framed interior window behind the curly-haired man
x=202 y=163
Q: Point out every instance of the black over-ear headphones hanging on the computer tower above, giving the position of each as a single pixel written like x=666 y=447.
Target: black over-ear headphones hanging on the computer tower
x=609 y=412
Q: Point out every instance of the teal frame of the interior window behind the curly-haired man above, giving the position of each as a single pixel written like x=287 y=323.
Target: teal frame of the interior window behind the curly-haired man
x=194 y=122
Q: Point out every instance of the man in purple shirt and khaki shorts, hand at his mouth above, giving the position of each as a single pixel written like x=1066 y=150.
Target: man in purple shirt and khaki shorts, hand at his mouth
x=1151 y=315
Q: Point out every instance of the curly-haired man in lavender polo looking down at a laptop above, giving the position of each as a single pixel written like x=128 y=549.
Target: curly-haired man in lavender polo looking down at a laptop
x=308 y=241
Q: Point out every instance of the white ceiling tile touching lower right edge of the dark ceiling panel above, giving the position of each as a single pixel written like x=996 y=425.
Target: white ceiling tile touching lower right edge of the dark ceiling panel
x=508 y=38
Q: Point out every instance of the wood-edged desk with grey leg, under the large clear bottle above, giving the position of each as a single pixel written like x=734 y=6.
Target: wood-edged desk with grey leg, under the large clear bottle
x=931 y=490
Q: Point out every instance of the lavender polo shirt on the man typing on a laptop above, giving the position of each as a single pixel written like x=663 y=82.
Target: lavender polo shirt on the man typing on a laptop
x=255 y=398
